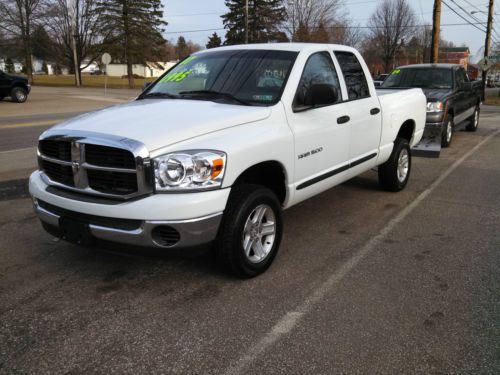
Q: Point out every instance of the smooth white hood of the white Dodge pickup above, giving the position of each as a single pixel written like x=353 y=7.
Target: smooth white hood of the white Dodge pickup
x=161 y=122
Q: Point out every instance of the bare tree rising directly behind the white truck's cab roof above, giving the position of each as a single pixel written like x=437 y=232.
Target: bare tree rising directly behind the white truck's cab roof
x=305 y=17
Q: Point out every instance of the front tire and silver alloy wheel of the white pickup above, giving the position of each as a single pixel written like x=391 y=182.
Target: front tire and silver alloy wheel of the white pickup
x=241 y=228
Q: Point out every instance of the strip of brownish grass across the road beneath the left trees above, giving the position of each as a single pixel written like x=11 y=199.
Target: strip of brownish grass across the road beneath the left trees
x=87 y=80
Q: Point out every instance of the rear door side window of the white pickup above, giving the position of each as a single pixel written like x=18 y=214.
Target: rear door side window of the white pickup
x=355 y=79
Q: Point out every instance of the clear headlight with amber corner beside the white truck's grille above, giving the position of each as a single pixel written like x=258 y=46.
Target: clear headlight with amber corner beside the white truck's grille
x=189 y=170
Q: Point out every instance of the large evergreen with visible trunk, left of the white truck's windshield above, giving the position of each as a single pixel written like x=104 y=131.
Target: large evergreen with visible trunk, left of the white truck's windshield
x=132 y=30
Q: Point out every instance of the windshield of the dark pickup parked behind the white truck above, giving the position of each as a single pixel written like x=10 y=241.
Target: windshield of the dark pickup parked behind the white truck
x=426 y=78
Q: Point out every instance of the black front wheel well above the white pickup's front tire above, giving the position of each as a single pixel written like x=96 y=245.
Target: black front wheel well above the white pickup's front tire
x=269 y=174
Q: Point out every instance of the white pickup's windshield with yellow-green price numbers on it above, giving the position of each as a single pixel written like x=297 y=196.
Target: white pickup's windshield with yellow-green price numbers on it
x=251 y=77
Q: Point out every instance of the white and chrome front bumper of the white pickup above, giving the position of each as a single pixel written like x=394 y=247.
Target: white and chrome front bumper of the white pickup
x=154 y=221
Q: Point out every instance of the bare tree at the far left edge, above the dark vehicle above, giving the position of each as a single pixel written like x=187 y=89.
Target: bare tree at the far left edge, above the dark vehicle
x=17 y=18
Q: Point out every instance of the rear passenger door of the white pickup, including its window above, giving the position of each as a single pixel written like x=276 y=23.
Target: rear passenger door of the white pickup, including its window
x=363 y=108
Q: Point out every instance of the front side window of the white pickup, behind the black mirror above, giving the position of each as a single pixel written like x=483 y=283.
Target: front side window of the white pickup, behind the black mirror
x=319 y=69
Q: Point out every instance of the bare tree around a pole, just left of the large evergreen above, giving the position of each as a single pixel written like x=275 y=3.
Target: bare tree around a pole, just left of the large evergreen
x=59 y=16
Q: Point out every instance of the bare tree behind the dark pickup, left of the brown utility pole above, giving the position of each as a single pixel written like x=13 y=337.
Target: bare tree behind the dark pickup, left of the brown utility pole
x=392 y=22
